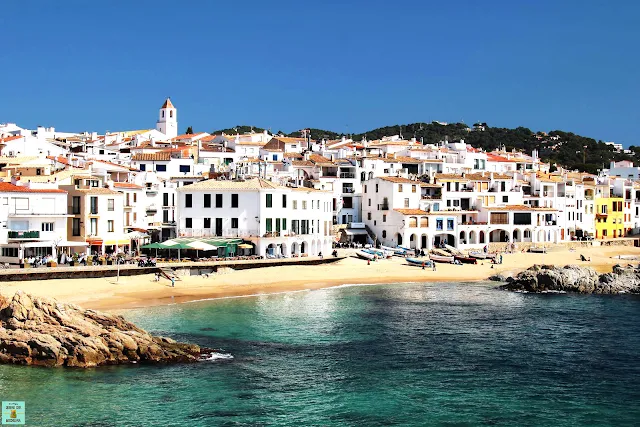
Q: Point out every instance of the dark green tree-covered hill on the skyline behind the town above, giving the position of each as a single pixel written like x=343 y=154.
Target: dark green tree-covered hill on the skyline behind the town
x=563 y=148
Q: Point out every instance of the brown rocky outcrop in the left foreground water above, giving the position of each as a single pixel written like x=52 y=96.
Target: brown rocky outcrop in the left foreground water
x=38 y=331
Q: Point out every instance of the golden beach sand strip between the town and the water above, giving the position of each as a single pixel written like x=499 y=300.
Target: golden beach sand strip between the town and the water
x=142 y=291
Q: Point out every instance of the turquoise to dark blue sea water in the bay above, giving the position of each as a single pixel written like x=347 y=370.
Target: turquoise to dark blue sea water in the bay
x=407 y=354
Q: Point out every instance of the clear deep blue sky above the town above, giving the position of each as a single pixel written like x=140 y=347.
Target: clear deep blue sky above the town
x=347 y=66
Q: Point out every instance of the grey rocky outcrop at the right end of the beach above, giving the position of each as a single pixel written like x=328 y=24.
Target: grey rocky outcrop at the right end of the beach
x=573 y=278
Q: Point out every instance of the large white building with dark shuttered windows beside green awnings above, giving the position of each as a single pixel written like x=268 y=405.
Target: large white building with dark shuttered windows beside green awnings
x=276 y=220
